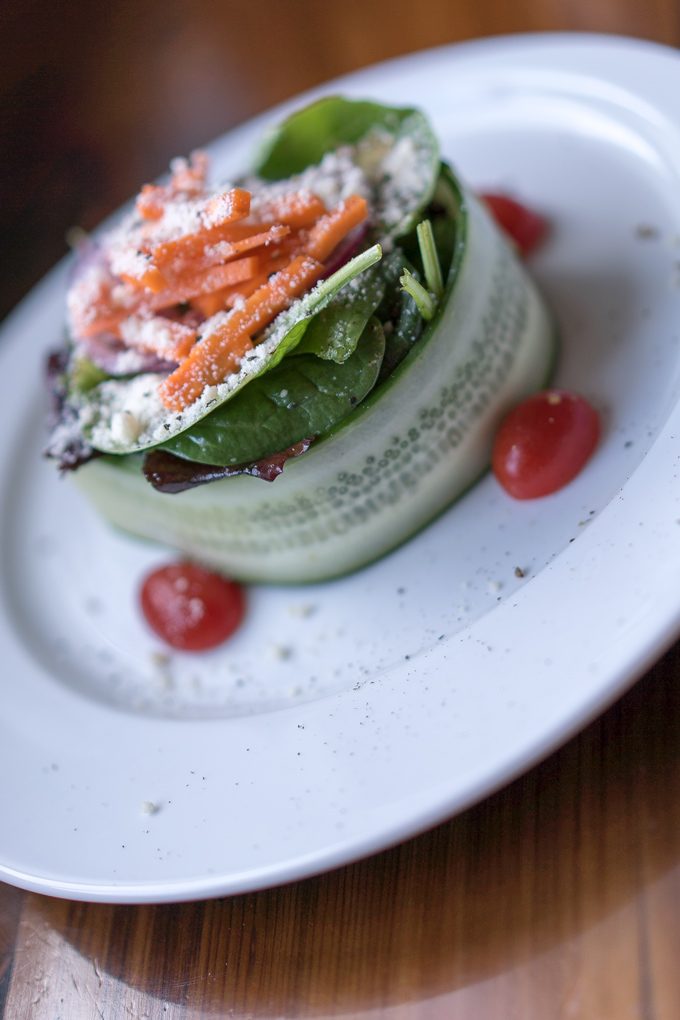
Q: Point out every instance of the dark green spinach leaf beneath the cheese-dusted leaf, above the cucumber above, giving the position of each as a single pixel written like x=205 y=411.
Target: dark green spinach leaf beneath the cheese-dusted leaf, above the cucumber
x=304 y=396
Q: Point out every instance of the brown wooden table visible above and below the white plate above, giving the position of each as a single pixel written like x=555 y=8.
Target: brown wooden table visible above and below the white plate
x=558 y=897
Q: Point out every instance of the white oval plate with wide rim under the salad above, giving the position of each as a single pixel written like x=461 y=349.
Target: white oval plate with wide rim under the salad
x=346 y=718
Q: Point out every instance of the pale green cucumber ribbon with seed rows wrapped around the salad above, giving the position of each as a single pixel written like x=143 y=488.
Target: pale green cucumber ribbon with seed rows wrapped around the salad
x=416 y=444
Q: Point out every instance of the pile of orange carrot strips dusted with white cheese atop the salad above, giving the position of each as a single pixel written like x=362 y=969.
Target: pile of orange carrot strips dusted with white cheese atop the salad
x=254 y=263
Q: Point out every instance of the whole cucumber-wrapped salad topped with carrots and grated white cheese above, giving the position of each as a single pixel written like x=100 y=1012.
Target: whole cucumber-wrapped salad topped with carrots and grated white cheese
x=346 y=322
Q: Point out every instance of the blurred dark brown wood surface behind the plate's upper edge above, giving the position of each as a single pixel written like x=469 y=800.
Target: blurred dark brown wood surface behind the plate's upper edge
x=82 y=124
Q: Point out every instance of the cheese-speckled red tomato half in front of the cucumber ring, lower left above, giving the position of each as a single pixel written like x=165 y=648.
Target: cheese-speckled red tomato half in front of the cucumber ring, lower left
x=191 y=608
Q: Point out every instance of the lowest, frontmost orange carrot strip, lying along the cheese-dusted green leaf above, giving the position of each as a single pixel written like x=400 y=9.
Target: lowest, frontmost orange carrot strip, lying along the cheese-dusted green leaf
x=212 y=361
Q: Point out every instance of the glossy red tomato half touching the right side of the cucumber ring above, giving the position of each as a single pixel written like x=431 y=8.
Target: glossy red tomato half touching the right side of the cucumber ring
x=544 y=443
